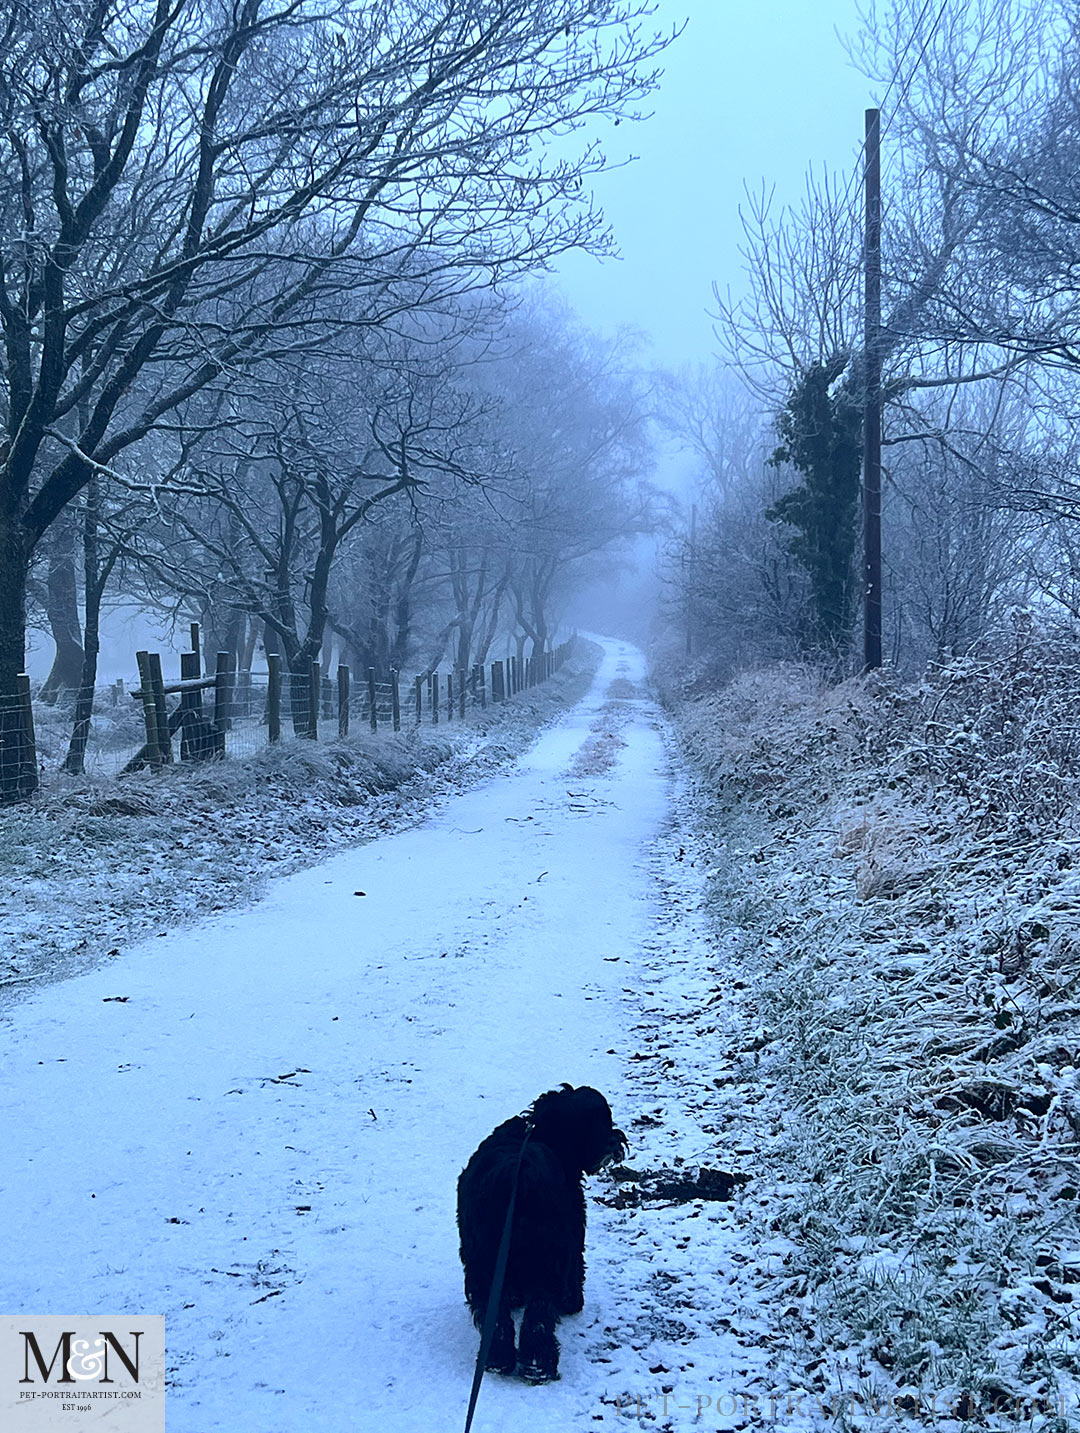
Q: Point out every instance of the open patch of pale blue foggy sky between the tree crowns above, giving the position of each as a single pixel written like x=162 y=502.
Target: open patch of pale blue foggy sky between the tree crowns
x=750 y=94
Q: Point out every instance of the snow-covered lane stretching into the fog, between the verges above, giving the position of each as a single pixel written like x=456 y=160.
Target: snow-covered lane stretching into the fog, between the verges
x=261 y=1139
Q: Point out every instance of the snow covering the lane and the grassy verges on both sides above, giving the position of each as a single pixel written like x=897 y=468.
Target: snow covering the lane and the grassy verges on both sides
x=254 y=1123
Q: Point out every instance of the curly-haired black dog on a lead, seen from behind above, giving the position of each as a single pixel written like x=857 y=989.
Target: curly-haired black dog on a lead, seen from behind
x=571 y=1136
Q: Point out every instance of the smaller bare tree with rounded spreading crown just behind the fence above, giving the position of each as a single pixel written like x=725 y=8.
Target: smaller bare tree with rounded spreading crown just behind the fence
x=274 y=498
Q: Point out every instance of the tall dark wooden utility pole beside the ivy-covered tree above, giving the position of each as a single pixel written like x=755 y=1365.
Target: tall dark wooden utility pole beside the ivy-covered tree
x=872 y=418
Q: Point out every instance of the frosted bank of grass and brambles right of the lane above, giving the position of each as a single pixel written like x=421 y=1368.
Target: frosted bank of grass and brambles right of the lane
x=905 y=872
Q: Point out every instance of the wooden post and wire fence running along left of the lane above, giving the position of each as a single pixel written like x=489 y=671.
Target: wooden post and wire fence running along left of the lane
x=206 y=716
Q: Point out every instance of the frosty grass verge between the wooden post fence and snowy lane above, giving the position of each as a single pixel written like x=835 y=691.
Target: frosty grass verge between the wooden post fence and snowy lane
x=100 y=862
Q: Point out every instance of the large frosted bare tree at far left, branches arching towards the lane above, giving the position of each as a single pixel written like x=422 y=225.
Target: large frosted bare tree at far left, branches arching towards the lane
x=167 y=166
